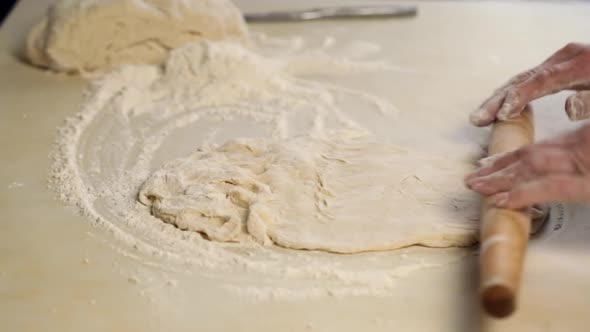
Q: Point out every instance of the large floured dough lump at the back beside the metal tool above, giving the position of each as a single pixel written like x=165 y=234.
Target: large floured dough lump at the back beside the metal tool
x=94 y=36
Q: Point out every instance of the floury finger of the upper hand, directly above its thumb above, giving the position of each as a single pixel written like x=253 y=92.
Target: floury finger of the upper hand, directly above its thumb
x=551 y=79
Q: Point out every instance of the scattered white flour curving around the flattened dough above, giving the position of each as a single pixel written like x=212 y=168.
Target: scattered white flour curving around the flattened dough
x=139 y=117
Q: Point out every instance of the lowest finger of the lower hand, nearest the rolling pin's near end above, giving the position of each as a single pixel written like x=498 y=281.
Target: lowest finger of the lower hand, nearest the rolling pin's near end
x=549 y=189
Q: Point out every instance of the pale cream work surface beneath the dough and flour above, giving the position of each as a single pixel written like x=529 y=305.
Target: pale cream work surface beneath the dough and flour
x=59 y=273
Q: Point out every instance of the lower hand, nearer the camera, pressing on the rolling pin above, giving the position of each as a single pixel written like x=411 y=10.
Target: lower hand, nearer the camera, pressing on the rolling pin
x=557 y=170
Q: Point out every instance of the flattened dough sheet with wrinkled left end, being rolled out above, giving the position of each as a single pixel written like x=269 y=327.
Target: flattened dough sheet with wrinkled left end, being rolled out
x=342 y=193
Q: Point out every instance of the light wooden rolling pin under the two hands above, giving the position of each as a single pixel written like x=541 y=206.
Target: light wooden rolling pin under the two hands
x=504 y=233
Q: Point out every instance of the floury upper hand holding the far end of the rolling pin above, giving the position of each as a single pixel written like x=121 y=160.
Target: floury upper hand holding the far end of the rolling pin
x=567 y=69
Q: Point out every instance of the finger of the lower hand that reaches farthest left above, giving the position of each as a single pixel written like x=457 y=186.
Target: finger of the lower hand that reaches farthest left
x=537 y=162
